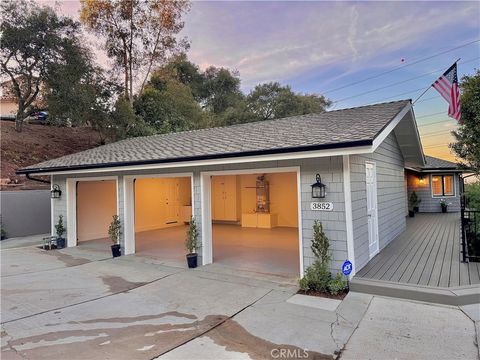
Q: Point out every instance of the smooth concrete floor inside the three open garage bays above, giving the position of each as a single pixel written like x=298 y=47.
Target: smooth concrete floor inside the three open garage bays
x=269 y=251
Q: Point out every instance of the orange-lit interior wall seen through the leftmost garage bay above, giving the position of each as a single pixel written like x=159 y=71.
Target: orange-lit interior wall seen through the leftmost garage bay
x=96 y=204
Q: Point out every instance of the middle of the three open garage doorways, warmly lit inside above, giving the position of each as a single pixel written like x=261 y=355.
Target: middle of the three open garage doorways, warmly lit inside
x=163 y=208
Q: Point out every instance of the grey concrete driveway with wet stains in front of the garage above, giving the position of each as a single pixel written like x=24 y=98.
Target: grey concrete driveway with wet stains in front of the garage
x=81 y=304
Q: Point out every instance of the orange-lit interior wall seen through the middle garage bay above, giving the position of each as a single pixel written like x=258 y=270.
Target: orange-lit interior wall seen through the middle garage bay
x=158 y=202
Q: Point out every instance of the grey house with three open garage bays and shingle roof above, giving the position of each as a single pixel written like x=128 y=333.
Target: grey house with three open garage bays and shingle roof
x=254 y=189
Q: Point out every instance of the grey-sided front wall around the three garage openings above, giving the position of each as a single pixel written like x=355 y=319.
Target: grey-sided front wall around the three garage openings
x=330 y=168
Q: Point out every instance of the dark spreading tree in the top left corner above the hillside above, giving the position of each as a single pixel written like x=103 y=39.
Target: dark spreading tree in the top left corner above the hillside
x=33 y=38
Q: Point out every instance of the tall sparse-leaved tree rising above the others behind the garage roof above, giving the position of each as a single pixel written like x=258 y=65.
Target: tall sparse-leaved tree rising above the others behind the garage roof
x=140 y=34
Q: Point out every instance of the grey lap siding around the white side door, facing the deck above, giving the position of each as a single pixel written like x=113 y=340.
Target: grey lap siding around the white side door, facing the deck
x=391 y=197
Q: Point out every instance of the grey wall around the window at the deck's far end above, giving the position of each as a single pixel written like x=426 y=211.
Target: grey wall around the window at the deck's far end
x=424 y=192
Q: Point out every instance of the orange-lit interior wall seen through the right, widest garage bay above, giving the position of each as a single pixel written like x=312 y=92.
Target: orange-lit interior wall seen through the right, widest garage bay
x=283 y=196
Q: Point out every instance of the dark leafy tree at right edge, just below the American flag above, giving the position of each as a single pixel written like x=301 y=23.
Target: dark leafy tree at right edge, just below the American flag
x=467 y=136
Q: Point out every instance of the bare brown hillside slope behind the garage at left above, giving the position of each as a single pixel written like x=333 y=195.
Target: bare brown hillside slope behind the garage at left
x=38 y=143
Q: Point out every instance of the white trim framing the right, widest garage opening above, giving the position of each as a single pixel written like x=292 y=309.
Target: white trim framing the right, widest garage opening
x=206 y=210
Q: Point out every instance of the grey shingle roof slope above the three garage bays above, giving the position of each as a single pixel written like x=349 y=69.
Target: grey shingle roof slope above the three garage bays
x=332 y=129
